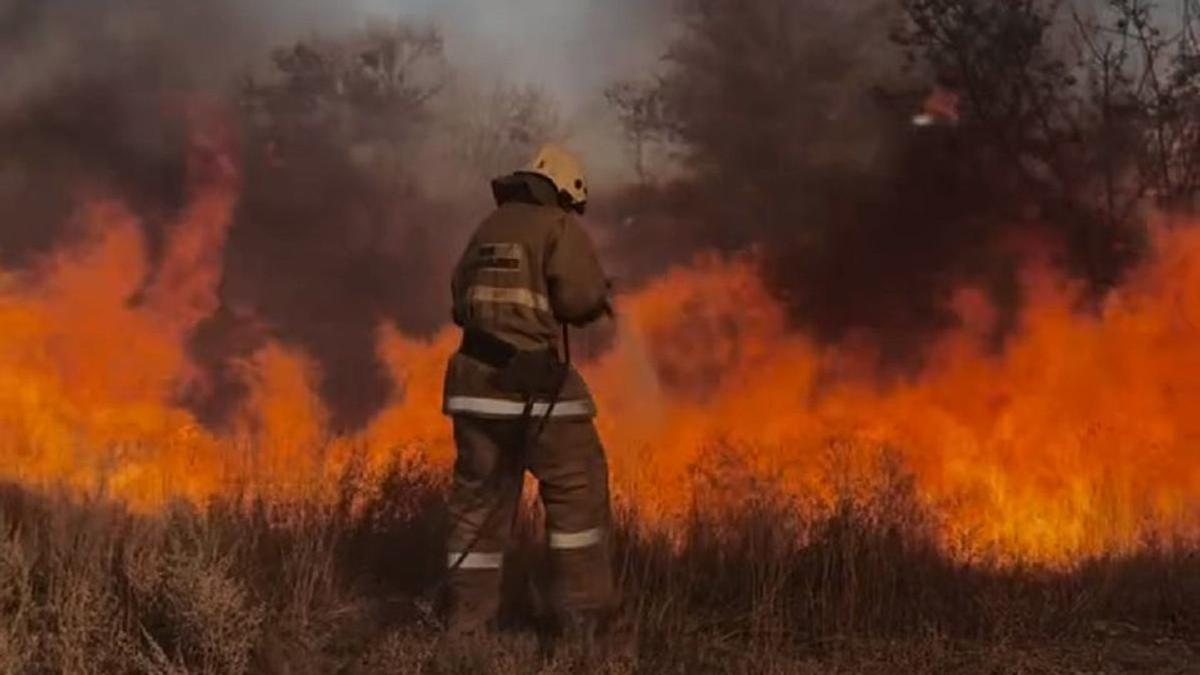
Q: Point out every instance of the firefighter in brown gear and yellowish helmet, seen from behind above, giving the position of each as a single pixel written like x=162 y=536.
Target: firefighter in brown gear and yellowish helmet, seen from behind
x=519 y=405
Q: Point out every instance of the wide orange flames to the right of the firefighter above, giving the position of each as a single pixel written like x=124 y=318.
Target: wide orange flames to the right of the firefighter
x=1077 y=440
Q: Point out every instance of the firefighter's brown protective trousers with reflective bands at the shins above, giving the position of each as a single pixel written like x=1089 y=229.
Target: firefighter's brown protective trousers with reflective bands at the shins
x=569 y=464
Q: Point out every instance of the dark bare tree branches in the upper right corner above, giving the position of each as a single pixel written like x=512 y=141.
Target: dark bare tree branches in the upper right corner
x=1091 y=109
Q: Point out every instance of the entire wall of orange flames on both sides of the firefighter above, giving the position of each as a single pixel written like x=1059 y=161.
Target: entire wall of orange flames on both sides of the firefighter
x=1078 y=439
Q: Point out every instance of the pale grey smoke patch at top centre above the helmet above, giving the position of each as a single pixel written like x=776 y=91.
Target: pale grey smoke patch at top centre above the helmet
x=571 y=51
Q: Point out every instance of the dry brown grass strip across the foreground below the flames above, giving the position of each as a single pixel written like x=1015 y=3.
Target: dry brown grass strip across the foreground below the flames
x=244 y=587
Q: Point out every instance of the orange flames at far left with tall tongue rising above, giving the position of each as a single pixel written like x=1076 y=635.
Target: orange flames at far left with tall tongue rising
x=93 y=359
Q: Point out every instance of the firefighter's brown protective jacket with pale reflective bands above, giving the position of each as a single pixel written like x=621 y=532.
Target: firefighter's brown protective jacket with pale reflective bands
x=529 y=270
